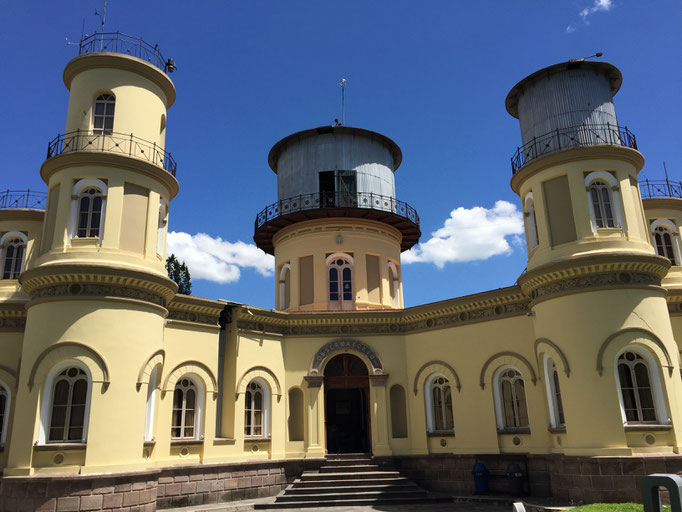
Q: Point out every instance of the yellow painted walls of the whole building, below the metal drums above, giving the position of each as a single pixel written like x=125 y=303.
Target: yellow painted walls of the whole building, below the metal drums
x=100 y=303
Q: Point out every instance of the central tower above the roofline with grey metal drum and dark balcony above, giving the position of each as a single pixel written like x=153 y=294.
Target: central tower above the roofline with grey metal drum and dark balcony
x=337 y=230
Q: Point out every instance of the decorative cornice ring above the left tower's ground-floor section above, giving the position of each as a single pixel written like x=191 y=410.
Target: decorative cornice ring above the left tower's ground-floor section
x=73 y=281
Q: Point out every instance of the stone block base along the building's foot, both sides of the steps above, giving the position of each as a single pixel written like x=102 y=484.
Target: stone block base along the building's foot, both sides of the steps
x=575 y=479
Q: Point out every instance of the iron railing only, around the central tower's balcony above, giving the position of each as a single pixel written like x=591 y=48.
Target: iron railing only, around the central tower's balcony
x=363 y=200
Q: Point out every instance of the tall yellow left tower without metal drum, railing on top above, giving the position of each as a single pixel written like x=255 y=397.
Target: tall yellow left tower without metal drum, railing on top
x=98 y=288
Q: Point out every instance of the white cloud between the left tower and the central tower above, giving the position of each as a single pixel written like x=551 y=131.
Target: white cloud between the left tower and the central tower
x=216 y=260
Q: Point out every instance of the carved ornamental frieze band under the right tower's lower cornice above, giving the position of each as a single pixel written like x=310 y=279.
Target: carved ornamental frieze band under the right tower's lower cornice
x=597 y=280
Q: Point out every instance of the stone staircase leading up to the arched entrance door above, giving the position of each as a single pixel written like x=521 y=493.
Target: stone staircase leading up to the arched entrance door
x=350 y=480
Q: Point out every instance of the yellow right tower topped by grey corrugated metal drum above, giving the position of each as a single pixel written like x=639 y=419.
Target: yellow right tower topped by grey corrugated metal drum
x=599 y=311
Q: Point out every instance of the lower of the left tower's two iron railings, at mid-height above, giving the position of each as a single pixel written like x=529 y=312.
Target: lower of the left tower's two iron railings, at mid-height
x=112 y=142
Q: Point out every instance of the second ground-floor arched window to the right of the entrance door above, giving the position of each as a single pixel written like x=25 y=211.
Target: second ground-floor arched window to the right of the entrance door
x=510 y=399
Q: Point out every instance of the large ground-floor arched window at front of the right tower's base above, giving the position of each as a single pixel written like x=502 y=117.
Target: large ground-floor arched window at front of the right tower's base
x=636 y=388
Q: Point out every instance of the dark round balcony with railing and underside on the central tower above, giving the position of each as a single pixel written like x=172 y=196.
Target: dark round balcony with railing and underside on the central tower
x=364 y=205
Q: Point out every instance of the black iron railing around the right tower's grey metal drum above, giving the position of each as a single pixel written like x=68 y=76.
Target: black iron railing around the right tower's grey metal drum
x=572 y=137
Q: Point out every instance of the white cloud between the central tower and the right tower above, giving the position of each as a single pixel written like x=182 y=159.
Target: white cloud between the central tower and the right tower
x=471 y=234
